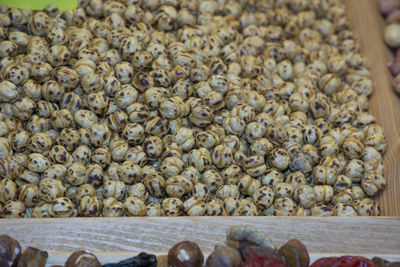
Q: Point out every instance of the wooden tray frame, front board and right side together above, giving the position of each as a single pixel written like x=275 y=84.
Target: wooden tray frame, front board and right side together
x=112 y=239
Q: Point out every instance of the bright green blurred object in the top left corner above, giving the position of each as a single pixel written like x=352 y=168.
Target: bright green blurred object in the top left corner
x=40 y=4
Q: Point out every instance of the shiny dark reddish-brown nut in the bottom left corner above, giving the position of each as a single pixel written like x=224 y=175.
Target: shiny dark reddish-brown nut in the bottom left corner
x=10 y=251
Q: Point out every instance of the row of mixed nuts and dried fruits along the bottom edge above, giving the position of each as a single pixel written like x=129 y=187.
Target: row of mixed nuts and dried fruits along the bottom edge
x=244 y=246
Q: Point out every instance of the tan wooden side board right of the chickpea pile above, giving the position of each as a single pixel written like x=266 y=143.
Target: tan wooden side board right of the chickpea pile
x=367 y=23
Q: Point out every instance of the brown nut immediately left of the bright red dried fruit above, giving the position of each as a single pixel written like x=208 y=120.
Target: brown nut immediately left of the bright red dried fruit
x=295 y=254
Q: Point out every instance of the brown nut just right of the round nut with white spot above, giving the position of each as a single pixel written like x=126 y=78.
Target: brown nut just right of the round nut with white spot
x=224 y=257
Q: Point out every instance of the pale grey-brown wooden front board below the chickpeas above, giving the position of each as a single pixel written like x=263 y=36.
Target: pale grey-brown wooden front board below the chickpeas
x=116 y=238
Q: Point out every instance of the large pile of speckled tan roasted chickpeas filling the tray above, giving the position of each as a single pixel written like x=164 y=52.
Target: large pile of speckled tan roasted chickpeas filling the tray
x=186 y=107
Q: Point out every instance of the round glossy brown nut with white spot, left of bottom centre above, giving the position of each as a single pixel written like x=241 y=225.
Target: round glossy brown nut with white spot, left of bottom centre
x=185 y=254
